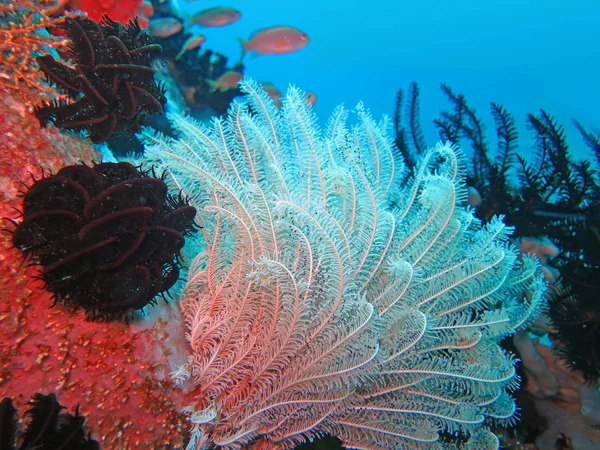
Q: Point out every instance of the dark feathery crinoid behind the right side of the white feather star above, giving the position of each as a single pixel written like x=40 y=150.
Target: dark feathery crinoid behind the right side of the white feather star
x=549 y=194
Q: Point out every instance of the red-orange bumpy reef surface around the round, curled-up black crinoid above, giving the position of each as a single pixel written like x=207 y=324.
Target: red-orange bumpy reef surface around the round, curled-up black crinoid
x=116 y=372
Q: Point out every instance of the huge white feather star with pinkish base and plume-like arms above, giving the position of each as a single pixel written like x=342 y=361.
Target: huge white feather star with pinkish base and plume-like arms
x=316 y=309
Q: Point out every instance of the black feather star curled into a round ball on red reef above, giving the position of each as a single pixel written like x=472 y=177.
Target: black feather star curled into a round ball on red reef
x=108 y=238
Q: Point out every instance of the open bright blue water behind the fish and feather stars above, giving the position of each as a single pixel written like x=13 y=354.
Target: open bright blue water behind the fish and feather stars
x=524 y=54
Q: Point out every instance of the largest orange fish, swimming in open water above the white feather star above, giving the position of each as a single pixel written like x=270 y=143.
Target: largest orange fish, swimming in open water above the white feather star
x=274 y=40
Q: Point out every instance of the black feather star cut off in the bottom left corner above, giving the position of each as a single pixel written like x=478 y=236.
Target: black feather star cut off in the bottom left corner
x=47 y=428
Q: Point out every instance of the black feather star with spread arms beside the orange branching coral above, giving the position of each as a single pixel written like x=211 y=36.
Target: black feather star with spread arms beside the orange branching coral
x=110 y=87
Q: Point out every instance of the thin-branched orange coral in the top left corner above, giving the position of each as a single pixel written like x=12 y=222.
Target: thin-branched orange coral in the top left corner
x=22 y=38
